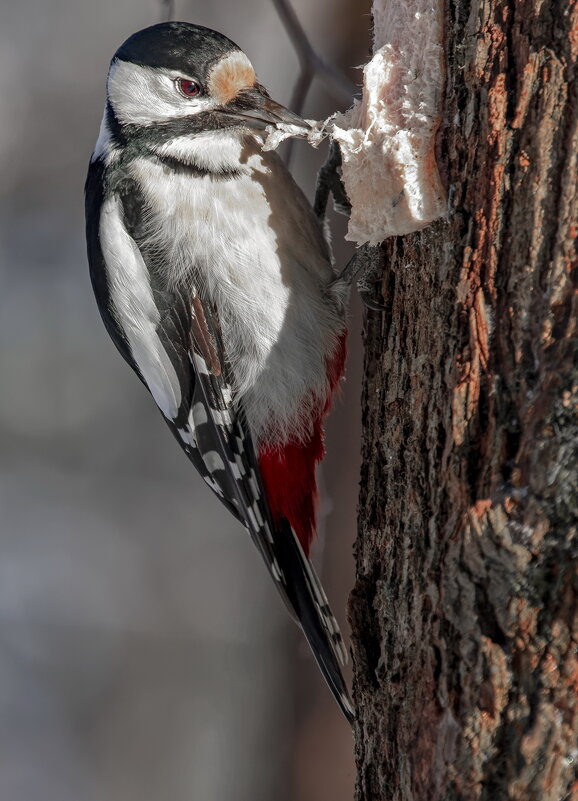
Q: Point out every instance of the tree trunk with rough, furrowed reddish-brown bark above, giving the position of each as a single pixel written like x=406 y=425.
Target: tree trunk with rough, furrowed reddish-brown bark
x=464 y=612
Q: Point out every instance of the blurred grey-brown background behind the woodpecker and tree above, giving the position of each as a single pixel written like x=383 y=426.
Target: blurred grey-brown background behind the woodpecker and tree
x=144 y=653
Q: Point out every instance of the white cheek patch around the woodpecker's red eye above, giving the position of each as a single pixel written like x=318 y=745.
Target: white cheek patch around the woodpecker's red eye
x=143 y=95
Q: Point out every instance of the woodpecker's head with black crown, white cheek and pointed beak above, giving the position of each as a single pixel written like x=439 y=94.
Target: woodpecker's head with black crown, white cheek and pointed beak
x=192 y=77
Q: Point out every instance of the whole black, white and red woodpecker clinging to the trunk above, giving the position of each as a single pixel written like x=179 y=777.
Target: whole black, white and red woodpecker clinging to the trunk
x=214 y=280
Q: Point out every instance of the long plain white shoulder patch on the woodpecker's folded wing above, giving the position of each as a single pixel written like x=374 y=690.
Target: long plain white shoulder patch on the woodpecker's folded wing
x=135 y=309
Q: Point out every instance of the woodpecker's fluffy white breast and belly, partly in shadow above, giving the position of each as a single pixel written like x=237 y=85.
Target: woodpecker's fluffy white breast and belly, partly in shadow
x=251 y=244
